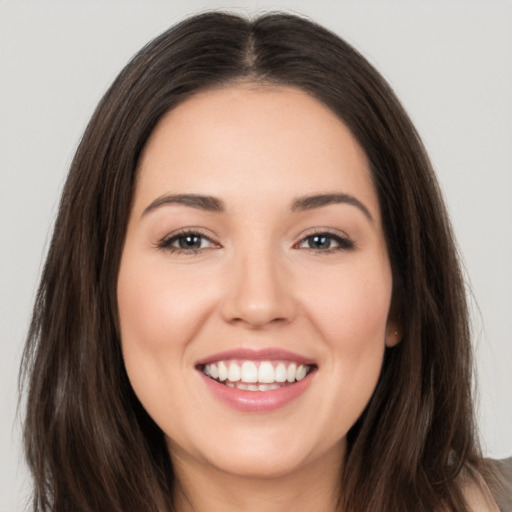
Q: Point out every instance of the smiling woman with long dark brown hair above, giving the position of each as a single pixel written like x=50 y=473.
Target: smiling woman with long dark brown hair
x=252 y=295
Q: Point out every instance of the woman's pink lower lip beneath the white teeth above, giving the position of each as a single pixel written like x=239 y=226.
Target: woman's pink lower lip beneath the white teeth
x=258 y=401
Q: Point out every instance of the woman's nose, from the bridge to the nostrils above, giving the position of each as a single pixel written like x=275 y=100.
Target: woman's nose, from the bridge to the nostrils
x=259 y=292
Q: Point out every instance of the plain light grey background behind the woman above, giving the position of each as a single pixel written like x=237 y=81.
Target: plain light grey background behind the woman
x=450 y=62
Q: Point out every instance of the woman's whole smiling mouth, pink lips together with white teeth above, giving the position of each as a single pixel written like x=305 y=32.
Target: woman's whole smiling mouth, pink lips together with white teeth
x=257 y=381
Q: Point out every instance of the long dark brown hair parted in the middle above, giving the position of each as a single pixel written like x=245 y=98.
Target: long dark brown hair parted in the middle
x=89 y=443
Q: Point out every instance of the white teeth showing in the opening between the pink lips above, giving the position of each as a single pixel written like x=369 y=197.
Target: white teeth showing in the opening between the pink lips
x=256 y=375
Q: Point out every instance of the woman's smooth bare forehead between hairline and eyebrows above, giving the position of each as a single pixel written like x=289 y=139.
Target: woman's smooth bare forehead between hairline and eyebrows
x=249 y=140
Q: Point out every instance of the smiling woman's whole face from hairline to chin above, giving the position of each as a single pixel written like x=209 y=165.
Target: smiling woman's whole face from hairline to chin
x=255 y=285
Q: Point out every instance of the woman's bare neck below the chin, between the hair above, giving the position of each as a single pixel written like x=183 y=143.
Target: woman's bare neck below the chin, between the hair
x=315 y=486
